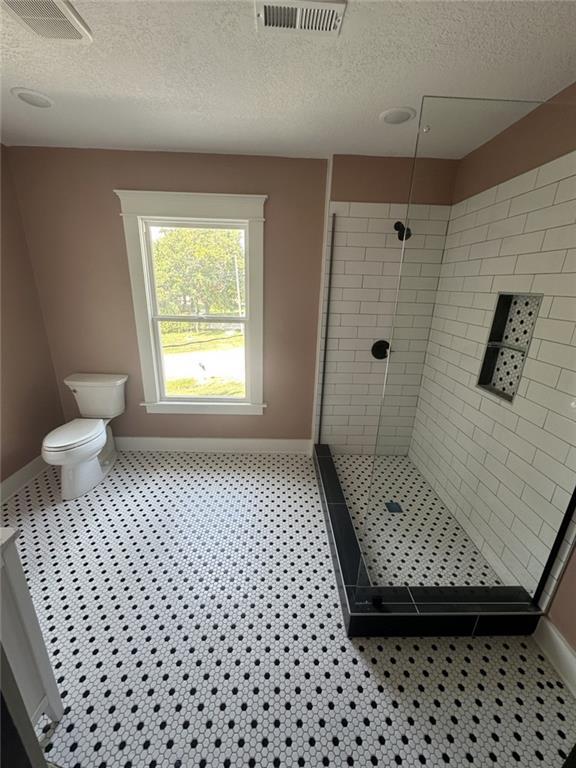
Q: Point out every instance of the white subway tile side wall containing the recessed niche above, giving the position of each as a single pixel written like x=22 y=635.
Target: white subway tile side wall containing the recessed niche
x=505 y=470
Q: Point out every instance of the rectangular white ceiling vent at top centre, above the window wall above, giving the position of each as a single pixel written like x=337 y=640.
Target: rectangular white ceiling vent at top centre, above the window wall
x=322 y=18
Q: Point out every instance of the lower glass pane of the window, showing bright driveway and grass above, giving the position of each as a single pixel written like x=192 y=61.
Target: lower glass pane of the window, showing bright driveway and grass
x=203 y=359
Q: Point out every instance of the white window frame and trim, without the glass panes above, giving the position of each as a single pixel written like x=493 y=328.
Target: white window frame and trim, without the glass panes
x=140 y=210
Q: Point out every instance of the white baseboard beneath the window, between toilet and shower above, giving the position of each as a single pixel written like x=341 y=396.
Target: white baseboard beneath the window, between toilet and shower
x=214 y=445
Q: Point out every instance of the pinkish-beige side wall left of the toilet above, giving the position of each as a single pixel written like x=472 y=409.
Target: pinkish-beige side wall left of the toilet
x=30 y=406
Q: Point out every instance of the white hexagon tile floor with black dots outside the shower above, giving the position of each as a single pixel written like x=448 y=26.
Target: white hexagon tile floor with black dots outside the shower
x=191 y=614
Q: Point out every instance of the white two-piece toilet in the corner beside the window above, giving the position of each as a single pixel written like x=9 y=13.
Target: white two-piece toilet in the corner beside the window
x=84 y=447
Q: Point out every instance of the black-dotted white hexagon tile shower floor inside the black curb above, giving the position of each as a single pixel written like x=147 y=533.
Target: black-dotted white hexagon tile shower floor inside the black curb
x=424 y=545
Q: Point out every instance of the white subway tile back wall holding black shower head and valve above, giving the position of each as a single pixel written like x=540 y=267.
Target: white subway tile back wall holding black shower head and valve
x=365 y=274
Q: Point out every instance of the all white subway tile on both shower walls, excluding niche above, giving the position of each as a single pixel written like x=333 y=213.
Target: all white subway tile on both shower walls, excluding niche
x=505 y=470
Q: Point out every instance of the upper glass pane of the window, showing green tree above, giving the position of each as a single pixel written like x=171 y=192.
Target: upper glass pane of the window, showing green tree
x=199 y=270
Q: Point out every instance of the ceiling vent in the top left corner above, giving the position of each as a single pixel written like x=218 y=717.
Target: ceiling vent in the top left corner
x=52 y=19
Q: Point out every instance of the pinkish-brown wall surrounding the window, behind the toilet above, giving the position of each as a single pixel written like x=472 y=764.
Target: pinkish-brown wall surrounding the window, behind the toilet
x=77 y=248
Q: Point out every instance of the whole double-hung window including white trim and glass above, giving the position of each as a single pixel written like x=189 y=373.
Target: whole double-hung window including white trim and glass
x=196 y=269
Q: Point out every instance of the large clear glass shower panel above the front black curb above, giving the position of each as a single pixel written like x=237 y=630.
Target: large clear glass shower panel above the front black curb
x=468 y=486
